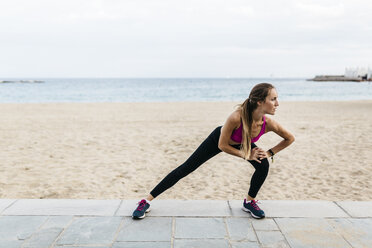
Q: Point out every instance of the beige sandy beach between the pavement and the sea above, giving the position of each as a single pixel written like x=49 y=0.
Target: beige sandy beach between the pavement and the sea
x=122 y=150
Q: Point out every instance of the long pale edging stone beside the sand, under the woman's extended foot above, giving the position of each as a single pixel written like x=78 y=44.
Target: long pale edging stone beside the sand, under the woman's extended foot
x=193 y=208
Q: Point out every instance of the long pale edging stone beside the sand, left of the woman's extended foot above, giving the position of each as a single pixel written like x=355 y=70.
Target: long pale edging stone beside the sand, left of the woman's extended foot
x=63 y=207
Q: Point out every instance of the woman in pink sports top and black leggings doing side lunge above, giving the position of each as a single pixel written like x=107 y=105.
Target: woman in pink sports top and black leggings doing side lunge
x=236 y=137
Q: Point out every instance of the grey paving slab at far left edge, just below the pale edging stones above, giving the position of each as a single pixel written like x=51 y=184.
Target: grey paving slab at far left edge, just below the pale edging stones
x=14 y=228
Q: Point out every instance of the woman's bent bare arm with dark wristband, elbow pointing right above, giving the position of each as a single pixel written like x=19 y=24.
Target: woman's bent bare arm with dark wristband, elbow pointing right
x=274 y=126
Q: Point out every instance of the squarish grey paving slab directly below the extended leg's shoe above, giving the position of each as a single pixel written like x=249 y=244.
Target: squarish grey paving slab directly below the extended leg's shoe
x=147 y=229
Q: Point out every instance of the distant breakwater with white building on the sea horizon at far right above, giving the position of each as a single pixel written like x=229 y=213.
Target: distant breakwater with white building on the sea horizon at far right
x=351 y=74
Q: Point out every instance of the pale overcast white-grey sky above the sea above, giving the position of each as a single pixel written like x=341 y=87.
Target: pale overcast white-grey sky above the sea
x=190 y=38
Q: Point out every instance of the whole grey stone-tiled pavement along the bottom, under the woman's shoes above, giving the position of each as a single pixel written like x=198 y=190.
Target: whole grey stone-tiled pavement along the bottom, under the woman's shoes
x=58 y=223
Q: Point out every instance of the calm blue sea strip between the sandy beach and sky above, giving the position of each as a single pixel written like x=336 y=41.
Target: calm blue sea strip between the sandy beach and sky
x=175 y=90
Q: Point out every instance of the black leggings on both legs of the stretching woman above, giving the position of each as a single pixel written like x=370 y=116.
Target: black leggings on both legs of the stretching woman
x=205 y=151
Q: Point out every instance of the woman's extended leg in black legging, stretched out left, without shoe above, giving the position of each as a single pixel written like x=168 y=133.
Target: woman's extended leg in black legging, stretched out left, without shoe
x=205 y=151
